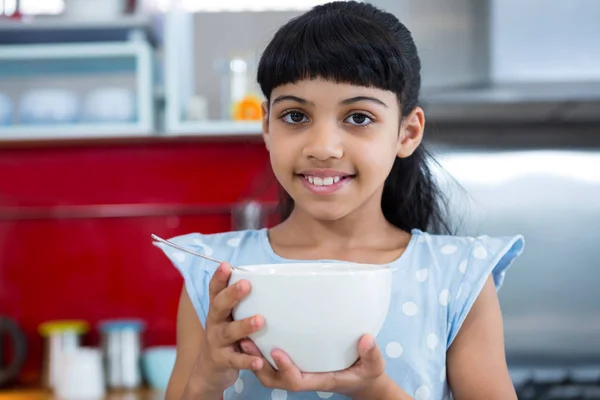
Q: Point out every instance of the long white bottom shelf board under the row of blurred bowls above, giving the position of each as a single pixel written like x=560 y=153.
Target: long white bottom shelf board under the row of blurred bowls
x=72 y=131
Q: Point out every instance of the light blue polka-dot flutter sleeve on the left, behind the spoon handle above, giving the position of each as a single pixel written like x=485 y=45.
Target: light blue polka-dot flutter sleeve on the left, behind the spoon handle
x=196 y=271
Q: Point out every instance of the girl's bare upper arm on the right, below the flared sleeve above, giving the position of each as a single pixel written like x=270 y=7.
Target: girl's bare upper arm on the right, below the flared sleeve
x=476 y=360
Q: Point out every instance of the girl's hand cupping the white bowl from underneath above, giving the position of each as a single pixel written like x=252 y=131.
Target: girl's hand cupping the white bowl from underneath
x=359 y=378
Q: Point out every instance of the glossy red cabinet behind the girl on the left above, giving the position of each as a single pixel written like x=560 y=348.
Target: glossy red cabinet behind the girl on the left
x=76 y=218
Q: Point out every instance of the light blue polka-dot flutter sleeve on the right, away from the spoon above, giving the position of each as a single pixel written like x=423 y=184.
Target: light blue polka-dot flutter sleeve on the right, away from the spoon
x=487 y=256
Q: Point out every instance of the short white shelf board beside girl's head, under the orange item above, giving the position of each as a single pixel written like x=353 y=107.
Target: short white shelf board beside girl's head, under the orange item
x=215 y=128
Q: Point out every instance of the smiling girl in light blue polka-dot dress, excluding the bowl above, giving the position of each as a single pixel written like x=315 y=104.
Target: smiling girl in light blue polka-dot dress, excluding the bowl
x=343 y=128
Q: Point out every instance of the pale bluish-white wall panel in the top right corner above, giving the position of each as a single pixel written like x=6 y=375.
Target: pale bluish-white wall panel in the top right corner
x=542 y=40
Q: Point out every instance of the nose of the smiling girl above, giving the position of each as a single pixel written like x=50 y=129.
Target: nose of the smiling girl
x=324 y=141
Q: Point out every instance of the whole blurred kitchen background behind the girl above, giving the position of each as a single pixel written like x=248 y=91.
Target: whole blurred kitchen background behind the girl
x=121 y=118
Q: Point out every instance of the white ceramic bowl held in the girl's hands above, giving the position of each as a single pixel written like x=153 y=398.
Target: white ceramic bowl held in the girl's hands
x=315 y=312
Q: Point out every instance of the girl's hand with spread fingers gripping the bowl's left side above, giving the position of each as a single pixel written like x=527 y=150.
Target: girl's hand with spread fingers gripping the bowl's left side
x=220 y=361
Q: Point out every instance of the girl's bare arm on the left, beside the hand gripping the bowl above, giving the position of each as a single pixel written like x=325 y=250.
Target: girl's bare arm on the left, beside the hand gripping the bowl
x=189 y=338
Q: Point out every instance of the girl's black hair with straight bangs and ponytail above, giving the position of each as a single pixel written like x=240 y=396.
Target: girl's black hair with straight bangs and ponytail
x=356 y=43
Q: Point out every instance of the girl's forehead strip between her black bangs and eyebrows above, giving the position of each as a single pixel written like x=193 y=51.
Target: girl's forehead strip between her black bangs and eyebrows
x=321 y=90
